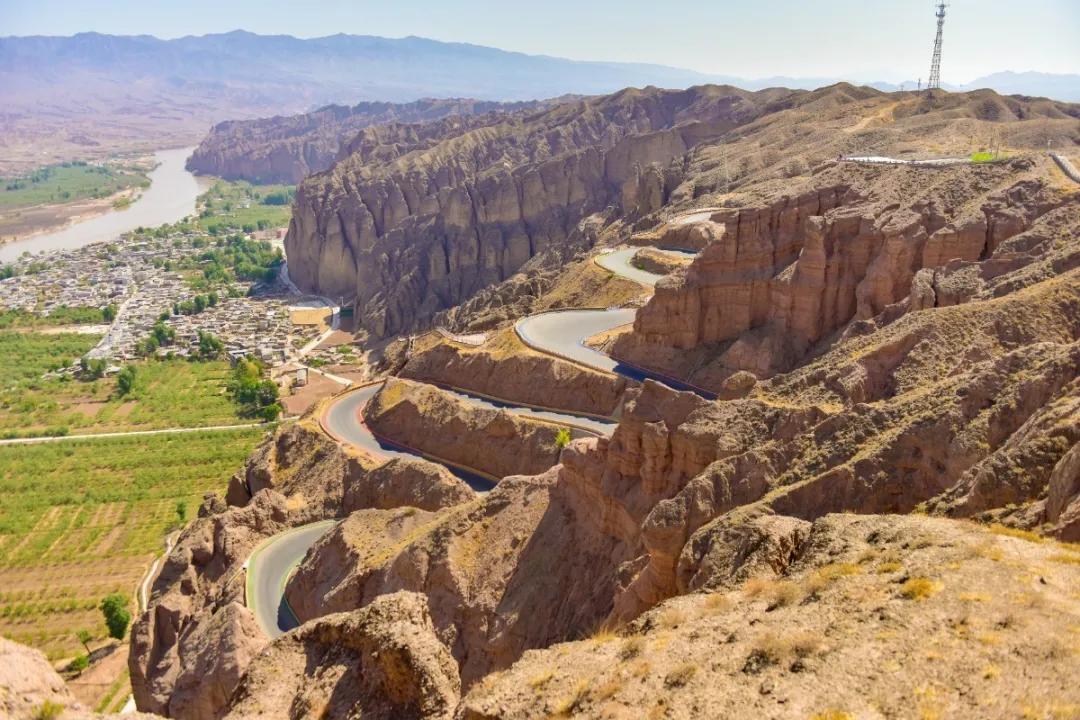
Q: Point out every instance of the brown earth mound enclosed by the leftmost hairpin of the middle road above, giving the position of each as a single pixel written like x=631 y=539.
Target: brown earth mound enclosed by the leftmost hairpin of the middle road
x=428 y=419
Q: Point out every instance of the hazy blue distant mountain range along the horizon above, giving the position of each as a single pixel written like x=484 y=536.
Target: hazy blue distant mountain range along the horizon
x=93 y=93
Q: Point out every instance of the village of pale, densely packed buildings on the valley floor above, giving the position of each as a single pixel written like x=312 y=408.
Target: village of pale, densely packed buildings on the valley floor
x=147 y=279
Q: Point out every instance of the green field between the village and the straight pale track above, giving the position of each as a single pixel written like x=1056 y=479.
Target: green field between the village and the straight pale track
x=167 y=393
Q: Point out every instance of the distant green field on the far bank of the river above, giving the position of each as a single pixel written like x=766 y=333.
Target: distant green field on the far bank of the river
x=62 y=184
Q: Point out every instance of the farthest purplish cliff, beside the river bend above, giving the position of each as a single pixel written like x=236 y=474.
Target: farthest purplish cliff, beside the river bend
x=288 y=150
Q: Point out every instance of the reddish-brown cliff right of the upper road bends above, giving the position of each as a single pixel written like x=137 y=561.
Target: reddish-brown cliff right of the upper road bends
x=781 y=279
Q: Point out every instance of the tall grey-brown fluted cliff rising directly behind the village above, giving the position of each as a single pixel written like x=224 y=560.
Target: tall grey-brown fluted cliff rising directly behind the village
x=423 y=230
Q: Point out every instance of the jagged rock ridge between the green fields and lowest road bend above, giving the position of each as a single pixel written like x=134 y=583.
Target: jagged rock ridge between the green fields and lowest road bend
x=193 y=646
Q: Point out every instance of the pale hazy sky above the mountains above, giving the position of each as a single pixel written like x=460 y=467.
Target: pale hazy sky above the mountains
x=855 y=39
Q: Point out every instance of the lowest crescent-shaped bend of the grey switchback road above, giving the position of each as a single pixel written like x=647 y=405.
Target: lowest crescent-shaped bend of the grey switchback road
x=268 y=570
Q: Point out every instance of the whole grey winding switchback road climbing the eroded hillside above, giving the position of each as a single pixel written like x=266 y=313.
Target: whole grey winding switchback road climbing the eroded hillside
x=561 y=333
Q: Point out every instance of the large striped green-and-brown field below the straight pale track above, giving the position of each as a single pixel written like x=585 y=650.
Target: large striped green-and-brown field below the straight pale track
x=80 y=520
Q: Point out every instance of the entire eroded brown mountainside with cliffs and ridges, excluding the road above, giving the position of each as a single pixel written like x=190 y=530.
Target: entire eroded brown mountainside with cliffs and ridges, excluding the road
x=843 y=478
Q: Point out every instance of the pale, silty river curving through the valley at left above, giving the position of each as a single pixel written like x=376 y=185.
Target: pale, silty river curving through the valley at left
x=170 y=198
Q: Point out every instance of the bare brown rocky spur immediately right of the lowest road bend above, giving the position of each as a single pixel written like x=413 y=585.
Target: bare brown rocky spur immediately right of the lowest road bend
x=510 y=572
